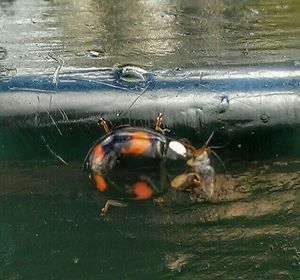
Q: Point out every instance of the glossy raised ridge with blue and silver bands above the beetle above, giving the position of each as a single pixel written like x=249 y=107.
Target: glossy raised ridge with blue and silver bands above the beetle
x=225 y=99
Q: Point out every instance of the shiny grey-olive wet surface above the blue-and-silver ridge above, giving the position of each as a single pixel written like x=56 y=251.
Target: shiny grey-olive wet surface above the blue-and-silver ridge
x=162 y=34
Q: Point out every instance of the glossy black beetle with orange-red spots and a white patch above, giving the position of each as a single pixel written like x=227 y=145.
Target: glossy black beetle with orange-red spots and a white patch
x=132 y=163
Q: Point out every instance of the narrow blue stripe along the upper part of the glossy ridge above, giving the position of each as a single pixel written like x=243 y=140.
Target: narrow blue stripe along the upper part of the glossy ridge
x=71 y=83
